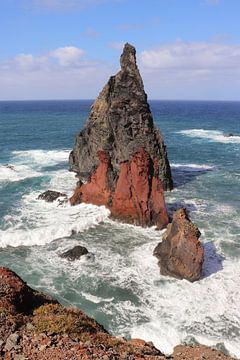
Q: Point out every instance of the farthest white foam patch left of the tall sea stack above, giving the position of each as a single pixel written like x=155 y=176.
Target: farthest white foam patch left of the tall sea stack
x=42 y=157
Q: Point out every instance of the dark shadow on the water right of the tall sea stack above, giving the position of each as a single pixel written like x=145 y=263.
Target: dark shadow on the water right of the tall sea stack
x=184 y=174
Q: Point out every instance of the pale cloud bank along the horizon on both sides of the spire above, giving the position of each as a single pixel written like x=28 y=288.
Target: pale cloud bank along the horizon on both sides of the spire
x=180 y=70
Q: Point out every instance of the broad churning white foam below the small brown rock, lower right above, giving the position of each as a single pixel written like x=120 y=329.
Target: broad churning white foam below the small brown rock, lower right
x=176 y=310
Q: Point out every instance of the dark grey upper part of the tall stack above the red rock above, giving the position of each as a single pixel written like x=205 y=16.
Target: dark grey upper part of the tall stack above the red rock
x=120 y=123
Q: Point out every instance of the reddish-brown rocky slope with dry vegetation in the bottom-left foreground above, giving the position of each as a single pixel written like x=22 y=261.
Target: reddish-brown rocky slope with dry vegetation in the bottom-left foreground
x=35 y=326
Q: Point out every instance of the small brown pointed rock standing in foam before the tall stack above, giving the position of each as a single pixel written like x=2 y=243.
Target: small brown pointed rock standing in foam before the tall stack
x=180 y=253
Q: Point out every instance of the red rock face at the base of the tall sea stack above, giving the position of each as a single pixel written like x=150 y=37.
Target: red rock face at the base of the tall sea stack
x=137 y=196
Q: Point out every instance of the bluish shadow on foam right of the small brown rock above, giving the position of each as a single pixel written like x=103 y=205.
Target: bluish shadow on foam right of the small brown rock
x=213 y=262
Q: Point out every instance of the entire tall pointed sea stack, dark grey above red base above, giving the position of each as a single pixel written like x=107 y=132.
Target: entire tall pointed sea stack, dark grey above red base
x=120 y=156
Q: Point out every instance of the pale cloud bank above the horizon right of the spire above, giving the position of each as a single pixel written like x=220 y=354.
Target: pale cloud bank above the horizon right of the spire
x=197 y=70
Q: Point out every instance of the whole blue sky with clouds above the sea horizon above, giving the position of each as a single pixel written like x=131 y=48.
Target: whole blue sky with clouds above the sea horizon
x=67 y=49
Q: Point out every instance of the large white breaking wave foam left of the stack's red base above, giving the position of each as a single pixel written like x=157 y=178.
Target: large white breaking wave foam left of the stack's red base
x=48 y=221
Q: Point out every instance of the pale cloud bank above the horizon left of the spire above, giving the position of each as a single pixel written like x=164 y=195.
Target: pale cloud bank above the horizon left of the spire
x=63 y=73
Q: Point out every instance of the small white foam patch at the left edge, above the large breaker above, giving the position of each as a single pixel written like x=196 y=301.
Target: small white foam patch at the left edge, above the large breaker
x=11 y=173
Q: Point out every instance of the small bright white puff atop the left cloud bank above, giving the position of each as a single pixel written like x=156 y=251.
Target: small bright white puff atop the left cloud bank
x=68 y=55
